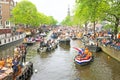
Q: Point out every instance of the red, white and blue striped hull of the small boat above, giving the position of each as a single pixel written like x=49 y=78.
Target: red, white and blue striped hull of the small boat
x=84 y=61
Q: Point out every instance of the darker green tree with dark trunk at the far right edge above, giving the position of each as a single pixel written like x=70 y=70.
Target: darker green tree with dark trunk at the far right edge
x=113 y=14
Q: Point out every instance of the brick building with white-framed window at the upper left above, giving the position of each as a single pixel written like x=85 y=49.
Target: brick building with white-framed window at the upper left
x=5 y=13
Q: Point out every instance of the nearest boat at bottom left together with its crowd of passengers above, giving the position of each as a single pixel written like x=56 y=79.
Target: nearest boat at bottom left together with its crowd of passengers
x=16 y=67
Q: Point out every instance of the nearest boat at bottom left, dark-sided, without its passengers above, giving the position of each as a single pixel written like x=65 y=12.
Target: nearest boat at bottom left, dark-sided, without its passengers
x=23 y=74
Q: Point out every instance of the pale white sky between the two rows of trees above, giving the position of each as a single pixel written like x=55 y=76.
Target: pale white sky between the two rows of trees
x=56 y=8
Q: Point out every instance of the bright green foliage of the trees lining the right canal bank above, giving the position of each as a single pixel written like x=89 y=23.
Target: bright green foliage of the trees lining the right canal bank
x=97 y=10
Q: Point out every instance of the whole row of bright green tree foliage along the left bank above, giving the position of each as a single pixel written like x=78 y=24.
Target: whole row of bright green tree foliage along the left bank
x=25 y=12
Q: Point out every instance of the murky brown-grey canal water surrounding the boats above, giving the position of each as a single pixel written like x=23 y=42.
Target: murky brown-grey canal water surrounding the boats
x=59 y=64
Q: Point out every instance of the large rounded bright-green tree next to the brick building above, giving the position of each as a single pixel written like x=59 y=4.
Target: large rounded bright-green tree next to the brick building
x=25 y=12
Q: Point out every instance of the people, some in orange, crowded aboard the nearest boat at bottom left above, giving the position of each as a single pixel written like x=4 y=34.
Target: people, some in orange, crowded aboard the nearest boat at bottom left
x=16 y=61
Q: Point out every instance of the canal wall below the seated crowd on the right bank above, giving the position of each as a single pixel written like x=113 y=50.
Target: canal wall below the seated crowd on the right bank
x=111 y=52
